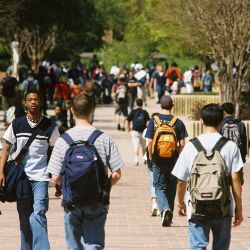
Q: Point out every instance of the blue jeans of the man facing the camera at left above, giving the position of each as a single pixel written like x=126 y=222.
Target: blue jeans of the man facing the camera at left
x=33 y=221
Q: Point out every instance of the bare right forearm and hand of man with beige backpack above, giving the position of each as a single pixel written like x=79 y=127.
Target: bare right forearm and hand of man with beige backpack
x=237 y=194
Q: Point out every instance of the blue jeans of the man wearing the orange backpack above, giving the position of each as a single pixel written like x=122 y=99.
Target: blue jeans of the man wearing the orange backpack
x=165 y=185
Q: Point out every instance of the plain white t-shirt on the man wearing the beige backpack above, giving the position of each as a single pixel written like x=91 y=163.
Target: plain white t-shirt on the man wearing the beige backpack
x=230 y=153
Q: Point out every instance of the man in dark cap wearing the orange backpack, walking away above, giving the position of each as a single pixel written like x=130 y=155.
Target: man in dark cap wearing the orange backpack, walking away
x=166 y=134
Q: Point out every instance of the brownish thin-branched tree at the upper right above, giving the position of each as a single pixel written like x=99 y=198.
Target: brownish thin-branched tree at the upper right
x=224 y=26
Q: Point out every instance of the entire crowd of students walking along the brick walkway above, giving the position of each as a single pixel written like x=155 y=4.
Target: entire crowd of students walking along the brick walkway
x=67 y=150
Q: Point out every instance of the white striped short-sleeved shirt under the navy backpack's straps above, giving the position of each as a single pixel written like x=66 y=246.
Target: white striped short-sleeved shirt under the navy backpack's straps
x=105 y=146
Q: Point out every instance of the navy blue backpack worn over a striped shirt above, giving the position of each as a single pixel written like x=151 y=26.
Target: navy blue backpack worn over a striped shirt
x=84 y=178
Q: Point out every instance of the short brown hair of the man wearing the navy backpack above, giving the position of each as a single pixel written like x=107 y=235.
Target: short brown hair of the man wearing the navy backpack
x=82 y=105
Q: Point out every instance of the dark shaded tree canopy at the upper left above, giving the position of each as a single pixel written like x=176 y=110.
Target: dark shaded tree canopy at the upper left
x=44 y=26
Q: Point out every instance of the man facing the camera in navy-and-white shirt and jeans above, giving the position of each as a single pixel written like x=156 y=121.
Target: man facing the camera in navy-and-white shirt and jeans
x=32 y=210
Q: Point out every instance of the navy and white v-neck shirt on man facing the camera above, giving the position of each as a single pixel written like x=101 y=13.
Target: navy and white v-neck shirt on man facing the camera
x=35 y=161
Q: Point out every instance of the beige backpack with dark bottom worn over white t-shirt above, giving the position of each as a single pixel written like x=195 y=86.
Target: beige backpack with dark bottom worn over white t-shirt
x=209 y=183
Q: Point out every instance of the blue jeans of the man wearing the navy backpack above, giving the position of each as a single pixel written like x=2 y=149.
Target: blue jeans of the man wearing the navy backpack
x=84 y=227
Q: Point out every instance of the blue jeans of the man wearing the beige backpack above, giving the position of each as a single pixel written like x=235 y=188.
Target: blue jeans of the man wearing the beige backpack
x=199 y=234
